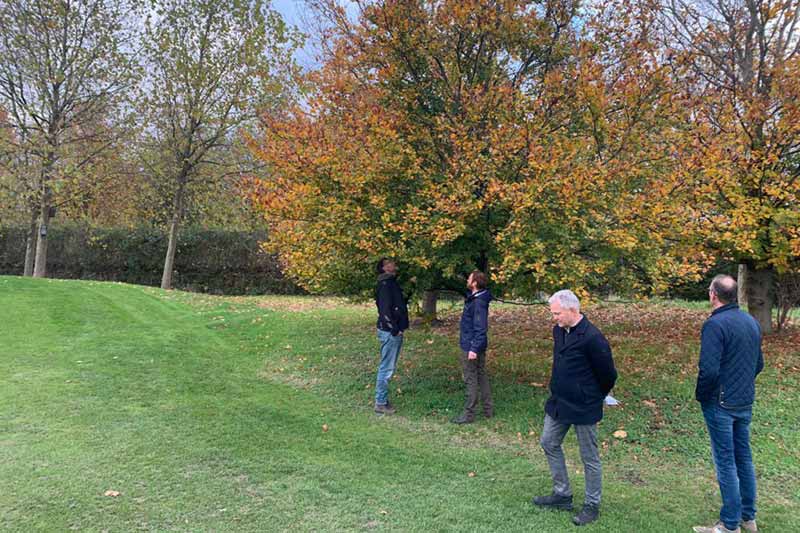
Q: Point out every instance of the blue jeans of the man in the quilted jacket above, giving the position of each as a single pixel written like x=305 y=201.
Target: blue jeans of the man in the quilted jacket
x=729 y=430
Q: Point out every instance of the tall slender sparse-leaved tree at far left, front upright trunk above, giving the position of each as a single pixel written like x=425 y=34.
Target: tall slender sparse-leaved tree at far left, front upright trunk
x=64 y=67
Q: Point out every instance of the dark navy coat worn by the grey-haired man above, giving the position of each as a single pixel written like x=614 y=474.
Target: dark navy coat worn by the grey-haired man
x=583 y=373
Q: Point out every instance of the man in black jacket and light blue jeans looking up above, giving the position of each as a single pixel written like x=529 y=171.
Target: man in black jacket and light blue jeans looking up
x=392 y=321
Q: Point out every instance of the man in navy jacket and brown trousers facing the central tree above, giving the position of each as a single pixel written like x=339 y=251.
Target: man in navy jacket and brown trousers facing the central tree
x=474 y=341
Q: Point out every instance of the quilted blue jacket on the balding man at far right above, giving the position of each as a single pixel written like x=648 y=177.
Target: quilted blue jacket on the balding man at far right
x=730 y=358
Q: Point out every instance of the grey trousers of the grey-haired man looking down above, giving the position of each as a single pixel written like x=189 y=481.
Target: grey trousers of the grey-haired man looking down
x=552 y=437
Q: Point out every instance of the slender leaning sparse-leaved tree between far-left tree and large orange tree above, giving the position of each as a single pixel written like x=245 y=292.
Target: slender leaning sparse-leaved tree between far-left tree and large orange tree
x=211 y=67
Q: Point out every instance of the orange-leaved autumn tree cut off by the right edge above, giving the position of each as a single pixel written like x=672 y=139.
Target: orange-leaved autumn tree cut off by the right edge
x=736 y=70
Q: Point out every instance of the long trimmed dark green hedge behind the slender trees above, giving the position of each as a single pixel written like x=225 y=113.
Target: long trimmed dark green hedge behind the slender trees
x=207 y=260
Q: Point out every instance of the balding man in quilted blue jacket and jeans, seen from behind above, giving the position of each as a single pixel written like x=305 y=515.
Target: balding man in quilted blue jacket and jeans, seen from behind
x=730 y=360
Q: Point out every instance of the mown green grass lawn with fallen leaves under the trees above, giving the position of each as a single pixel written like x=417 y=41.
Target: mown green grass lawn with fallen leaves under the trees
x=208 y=414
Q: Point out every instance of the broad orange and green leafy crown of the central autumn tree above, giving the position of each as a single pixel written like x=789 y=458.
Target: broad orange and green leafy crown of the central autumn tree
x=457 y=135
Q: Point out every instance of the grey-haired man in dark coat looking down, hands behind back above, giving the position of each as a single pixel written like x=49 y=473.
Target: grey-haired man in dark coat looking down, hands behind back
x=583 y=374
